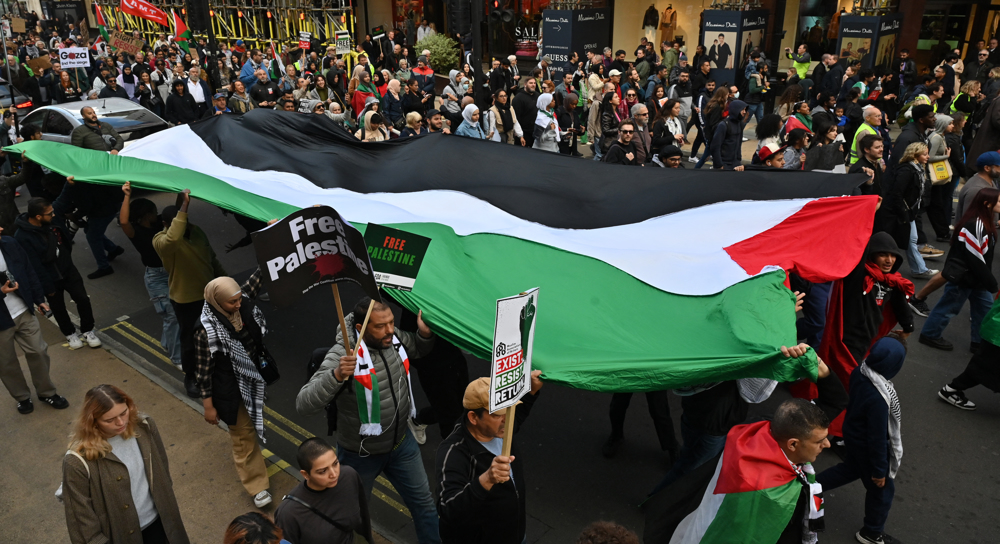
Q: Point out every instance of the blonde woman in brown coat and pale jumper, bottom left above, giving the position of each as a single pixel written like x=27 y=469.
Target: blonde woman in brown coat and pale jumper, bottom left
x=116 y=480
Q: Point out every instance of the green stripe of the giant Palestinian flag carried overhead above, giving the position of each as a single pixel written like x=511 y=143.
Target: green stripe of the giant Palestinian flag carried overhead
x=603 y=329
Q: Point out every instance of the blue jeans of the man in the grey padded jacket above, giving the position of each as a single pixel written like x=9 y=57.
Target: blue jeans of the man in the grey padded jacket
x=404 y=468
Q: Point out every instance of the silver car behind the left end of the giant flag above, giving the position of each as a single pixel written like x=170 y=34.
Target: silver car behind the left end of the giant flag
x=131 y=120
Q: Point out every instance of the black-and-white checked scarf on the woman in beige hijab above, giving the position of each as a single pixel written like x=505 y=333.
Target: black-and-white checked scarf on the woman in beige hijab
x=247 y=376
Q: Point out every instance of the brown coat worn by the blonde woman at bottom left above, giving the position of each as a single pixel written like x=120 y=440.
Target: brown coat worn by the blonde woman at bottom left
x=99 y=507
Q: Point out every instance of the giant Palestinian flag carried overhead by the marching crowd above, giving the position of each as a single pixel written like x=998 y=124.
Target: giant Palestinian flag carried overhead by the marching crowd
x=653 y=278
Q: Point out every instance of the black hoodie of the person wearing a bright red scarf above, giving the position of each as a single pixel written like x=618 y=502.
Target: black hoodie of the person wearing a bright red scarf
x=863 y=310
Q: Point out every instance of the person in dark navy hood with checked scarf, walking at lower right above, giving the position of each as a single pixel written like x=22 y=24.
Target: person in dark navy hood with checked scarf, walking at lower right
x=874 y=447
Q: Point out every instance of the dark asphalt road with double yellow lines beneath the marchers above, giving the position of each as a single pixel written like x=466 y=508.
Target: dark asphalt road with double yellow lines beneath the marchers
x=945 y=489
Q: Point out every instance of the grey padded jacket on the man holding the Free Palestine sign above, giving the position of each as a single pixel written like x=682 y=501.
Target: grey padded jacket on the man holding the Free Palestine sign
x=394 y=394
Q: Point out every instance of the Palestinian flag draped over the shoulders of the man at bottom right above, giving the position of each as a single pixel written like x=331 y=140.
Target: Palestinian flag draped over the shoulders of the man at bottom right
x=748 y=495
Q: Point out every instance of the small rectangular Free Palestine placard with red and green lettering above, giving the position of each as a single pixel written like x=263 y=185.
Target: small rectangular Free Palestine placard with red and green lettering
x=396 y=255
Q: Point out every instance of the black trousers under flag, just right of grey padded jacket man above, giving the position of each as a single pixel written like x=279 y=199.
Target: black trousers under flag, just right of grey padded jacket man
x=443 y=375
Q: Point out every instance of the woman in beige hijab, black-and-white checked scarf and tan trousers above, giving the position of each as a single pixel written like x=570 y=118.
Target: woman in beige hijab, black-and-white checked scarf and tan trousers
x=233 y=366
